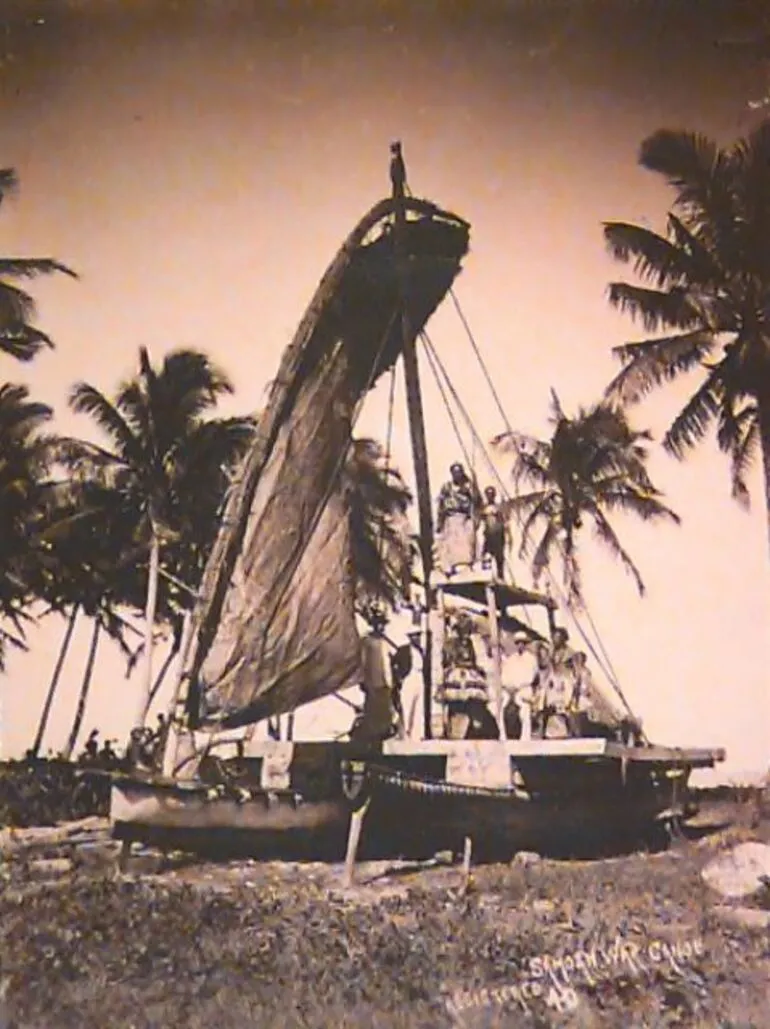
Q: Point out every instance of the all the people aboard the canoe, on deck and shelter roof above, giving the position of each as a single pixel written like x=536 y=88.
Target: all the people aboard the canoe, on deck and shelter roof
x=548 y=687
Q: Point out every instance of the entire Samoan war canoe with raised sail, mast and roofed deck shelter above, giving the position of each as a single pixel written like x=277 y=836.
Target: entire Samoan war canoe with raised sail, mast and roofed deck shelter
x=275 y=627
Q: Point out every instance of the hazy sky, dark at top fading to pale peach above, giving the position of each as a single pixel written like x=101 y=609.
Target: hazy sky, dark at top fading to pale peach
x=199 y=164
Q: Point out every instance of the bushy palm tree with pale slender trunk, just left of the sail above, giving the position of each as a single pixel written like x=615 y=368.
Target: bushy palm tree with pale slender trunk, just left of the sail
x=160 y=482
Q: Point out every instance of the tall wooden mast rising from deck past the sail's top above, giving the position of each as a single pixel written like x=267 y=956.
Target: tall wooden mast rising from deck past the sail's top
x=416 y=427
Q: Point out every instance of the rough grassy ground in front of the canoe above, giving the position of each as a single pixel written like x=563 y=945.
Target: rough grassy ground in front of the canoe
x=279 y=945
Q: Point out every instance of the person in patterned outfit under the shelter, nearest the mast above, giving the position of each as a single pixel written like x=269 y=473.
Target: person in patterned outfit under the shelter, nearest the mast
x=465 y=688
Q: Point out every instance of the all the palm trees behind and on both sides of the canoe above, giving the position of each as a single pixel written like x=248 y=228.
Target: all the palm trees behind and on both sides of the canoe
x=104 y=531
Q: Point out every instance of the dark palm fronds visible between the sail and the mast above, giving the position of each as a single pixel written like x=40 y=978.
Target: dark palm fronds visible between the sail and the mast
x=380 y=539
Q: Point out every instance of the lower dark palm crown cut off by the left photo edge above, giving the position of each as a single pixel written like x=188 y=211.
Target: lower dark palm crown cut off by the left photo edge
x=25 y=458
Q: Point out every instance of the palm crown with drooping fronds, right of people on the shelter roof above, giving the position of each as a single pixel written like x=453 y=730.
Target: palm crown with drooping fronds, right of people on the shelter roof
x=593 y=466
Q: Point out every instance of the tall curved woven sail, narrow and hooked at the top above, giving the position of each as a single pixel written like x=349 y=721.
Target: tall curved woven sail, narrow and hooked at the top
x=275 y=626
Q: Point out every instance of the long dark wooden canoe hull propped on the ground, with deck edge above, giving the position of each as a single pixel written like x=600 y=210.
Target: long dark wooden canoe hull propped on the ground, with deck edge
x=562 y=797
